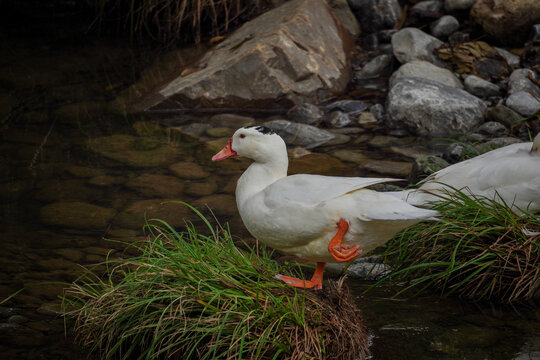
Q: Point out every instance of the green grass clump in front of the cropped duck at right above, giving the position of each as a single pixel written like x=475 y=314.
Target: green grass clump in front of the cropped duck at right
x=478 y=250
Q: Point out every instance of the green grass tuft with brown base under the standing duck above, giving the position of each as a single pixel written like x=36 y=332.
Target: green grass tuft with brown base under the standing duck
x=195 y=296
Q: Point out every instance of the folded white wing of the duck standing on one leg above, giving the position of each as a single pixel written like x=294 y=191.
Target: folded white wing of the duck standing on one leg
x=312 y=190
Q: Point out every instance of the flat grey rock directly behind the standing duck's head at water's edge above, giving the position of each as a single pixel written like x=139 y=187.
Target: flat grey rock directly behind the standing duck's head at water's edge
x=300 y=134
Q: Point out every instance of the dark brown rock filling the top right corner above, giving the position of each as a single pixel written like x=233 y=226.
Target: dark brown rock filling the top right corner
x=507 y=21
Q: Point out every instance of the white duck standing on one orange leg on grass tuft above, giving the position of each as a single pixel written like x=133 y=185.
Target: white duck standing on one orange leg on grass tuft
x=317 y=218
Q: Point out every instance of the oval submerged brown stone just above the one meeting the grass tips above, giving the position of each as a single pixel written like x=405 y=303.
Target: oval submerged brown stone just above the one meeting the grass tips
x=154 y=185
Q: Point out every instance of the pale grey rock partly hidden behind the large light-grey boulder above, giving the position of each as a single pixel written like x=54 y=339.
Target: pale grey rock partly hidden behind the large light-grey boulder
x=425 y=70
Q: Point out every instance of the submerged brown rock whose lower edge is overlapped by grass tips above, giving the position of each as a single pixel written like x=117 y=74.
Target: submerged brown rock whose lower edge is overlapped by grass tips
x=133 y=216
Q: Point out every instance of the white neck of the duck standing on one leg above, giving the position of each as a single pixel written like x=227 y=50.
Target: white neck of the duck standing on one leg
x=258 y=176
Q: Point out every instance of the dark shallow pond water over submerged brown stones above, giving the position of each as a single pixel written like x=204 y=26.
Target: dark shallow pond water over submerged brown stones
x=77 y=179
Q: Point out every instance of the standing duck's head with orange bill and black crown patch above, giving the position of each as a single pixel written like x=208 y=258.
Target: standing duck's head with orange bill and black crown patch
x=259 y=143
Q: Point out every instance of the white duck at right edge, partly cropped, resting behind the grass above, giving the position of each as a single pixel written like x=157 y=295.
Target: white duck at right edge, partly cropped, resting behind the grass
x=512 y=172
